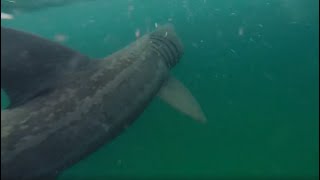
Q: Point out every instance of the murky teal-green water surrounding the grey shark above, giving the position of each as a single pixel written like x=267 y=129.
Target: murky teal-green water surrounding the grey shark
x=252 y=65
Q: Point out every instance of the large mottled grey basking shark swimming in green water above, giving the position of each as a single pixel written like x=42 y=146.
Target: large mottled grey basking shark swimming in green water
x=65 y=105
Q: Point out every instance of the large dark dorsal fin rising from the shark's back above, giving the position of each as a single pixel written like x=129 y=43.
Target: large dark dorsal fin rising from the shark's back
x=30 y=64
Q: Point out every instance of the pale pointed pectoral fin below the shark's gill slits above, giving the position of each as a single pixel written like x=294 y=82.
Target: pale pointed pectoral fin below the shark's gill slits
x=179 y=97
